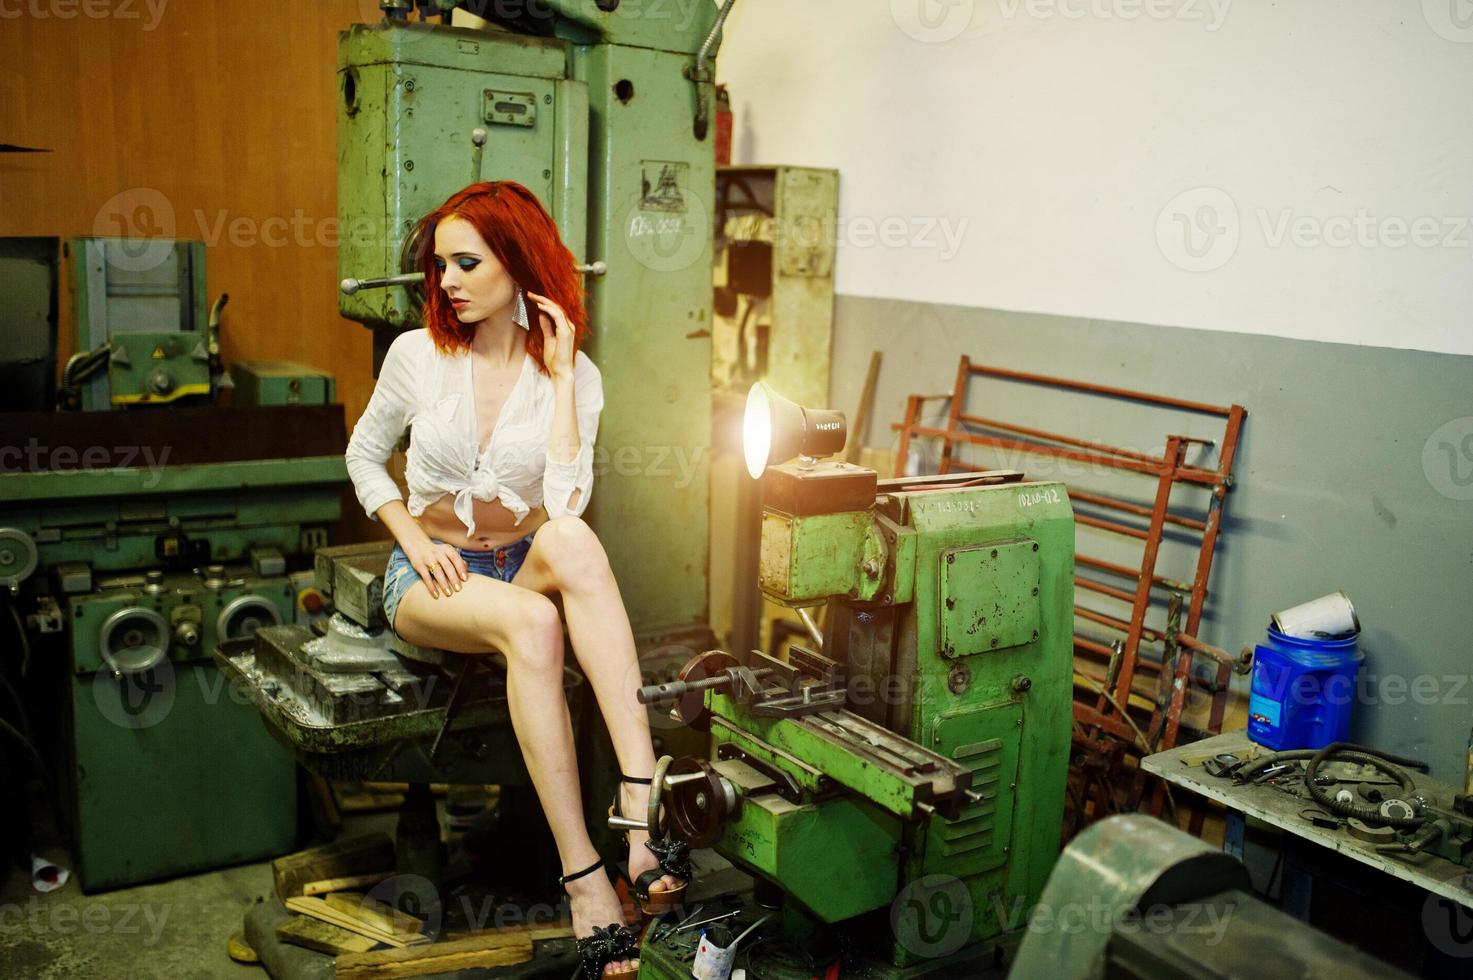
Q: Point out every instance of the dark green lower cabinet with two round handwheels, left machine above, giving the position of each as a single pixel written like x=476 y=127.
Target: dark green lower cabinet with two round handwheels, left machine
x=170 y=771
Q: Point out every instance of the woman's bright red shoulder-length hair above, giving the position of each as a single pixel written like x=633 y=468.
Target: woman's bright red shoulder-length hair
x=527 y=242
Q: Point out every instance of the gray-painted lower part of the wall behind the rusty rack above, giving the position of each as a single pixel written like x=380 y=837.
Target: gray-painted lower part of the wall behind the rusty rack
x=1334 y=487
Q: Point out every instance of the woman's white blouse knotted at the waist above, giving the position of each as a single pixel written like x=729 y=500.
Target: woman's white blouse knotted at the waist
x=434 y=396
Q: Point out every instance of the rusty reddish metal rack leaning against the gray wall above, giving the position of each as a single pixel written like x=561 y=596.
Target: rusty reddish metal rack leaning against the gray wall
x=1105 y=732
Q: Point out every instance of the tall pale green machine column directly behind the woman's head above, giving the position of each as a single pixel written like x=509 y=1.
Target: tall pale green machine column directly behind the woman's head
x=605 y=111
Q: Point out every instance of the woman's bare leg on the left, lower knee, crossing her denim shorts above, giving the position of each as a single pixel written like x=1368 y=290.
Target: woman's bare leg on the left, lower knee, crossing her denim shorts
x=524 y=626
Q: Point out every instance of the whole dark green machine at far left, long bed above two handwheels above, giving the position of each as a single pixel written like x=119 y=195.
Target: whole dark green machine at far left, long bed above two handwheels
x=135 y=543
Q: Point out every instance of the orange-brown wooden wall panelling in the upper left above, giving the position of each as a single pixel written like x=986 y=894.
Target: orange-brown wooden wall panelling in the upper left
x=225 y=116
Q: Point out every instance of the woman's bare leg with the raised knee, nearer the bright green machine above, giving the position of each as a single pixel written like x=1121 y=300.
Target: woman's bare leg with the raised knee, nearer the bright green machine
x=568 y=559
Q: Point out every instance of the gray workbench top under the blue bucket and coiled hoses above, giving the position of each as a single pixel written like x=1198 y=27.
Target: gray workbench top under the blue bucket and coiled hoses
x=1284 y=811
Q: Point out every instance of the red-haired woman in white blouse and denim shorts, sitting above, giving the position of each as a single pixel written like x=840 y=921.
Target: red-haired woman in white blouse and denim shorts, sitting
x=503 y=415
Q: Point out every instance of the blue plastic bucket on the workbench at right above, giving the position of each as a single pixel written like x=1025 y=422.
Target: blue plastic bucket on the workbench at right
x=1303 y=692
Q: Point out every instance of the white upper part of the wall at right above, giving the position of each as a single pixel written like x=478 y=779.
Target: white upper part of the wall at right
x=1300 y=169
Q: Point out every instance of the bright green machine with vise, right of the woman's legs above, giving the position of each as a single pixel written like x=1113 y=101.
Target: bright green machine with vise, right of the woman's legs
x=915 y=763
